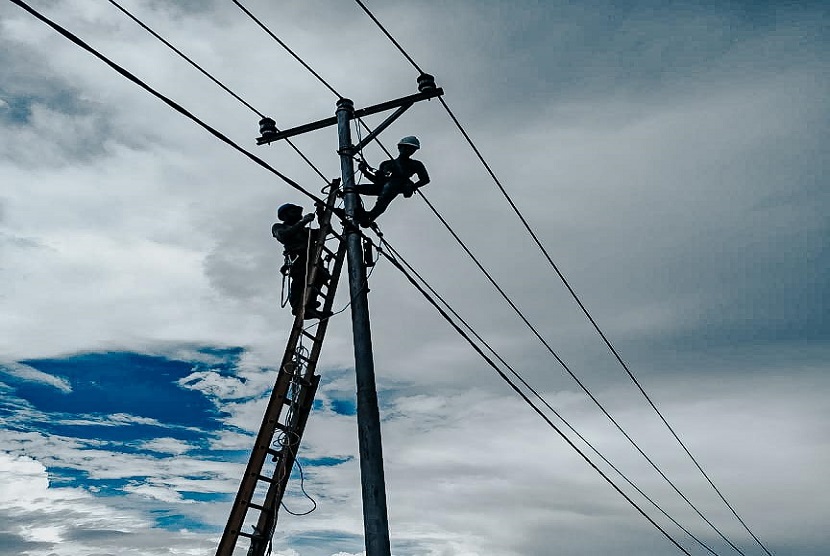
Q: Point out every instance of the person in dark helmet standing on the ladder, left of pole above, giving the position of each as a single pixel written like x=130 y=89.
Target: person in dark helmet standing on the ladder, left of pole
x=299 y=241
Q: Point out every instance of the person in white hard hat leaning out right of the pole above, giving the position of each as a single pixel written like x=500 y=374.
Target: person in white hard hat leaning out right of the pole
x=392 y=178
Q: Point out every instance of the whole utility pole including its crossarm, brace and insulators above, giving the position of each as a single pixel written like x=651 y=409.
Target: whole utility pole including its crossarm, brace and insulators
x=375 y=517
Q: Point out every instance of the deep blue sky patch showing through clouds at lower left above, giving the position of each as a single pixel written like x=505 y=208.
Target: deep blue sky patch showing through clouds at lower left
x=117 y=403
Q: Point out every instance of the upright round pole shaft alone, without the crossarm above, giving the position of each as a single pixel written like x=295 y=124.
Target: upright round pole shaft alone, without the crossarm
x=375 y=518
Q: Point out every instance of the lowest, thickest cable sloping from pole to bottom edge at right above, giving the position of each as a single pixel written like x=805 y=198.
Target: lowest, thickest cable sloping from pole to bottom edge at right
x=525 y=397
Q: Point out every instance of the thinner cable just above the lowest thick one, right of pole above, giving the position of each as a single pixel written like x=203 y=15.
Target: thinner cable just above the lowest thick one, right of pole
x=527 y=385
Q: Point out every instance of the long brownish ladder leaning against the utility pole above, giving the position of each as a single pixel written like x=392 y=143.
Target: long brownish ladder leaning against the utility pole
x=254 y=512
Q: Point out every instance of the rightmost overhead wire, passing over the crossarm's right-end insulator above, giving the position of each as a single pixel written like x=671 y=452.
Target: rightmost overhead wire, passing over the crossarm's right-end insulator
x=567 y=283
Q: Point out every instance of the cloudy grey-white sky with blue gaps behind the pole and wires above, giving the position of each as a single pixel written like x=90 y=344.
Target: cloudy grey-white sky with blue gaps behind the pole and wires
x=671 y=157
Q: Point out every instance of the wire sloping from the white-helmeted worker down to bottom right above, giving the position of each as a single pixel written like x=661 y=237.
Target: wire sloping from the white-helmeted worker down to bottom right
x=573 y=375
